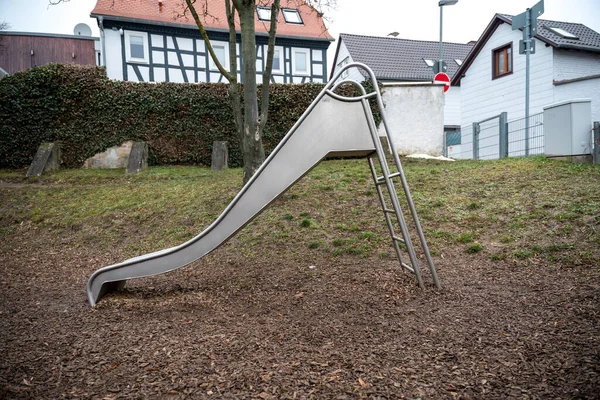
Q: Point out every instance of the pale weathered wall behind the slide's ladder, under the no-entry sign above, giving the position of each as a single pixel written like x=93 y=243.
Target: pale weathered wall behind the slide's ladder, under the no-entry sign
x=415 y=115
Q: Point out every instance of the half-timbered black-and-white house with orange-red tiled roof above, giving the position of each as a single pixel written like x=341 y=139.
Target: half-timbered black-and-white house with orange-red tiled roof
x=152 y=41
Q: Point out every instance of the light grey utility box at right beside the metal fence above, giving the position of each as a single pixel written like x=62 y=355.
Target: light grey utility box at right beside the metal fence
x=567 y=128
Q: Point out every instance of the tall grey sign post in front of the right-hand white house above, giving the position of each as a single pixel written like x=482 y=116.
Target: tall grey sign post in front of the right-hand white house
x=527 y=21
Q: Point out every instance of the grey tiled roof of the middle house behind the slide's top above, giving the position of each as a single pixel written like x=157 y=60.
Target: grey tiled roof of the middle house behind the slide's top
x=391 y=58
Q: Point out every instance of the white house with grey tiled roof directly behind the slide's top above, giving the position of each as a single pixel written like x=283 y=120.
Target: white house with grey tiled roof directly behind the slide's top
x=402 y=66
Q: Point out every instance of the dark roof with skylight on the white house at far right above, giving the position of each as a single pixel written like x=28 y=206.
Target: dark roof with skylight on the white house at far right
x=589 y=40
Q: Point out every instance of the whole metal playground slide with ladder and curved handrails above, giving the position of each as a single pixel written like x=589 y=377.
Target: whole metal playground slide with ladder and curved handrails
x=332 y=126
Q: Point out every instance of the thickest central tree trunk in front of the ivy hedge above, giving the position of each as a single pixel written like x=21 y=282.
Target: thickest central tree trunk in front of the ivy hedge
x=252 y=147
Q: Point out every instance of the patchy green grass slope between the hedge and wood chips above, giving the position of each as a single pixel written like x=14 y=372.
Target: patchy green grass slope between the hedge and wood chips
x=530 y=211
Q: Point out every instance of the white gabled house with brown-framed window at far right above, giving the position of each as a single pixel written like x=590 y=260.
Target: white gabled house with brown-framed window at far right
x=566 y=65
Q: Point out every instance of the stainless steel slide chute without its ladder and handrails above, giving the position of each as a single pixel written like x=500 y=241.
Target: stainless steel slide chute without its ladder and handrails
x=330 y=126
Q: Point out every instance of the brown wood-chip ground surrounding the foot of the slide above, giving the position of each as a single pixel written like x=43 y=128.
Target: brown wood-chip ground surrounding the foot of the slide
x=267 y=326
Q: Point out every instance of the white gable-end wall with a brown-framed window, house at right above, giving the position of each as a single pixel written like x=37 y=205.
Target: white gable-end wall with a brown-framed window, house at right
x=482 y=97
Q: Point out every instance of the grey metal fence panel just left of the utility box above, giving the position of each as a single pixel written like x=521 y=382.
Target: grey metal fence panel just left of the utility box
x=517 y=143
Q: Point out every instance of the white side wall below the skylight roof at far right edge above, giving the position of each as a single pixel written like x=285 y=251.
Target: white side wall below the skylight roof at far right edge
x=570 y=64
